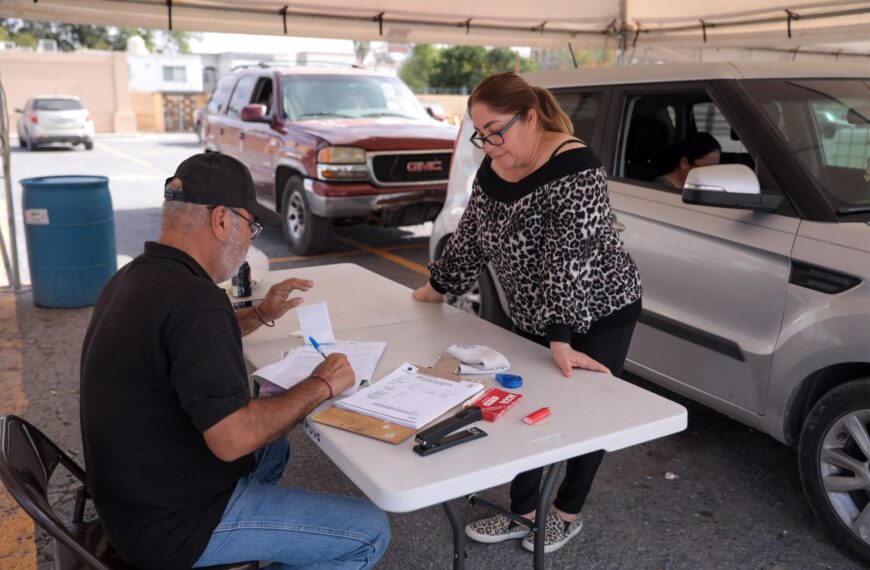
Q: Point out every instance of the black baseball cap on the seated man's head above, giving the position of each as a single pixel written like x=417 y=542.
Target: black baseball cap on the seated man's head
x=215 y=179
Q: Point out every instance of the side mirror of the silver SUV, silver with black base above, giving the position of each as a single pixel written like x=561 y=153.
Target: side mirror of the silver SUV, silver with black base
x=728 y=186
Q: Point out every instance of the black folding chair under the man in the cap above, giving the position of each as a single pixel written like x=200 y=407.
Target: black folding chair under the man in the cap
x=27 y=461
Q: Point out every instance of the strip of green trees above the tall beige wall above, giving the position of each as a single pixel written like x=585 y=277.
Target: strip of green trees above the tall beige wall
x=71 y=37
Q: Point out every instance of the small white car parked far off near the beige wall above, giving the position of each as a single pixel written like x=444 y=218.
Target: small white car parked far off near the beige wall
x=54 y=119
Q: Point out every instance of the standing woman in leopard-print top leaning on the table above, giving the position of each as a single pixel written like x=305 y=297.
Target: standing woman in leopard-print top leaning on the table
x=540 y=214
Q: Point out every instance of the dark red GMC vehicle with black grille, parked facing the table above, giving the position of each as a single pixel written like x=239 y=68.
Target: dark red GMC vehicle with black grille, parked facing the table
x=331 y=145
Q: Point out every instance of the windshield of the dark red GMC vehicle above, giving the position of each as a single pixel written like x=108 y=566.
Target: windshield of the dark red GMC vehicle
x=308 y=97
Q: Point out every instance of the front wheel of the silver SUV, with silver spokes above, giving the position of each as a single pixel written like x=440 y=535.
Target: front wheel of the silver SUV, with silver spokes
x=835 y=464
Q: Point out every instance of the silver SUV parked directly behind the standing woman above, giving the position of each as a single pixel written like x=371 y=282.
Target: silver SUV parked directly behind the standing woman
x=755 y=273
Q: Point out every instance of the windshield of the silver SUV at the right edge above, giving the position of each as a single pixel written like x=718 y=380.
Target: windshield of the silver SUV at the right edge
x=826 y=123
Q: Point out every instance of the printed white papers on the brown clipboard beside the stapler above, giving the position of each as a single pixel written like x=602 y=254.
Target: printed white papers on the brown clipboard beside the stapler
x=410 y=398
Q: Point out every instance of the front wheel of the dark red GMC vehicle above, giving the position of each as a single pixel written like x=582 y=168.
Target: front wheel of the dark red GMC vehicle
x=305 y=232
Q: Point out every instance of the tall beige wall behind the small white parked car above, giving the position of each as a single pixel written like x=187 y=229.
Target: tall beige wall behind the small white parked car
x=98 y=78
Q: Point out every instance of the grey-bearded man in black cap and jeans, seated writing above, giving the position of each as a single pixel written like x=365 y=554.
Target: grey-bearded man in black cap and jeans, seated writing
x=182 y=464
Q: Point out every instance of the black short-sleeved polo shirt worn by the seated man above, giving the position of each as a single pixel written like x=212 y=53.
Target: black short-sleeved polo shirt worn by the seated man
x=161 y=363
